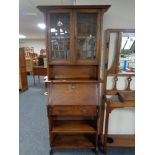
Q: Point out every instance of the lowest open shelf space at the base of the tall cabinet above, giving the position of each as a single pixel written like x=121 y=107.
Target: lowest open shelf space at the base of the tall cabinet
x=72 y=141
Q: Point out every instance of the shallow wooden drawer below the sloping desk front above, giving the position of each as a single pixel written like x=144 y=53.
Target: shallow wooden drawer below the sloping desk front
x=72 y=110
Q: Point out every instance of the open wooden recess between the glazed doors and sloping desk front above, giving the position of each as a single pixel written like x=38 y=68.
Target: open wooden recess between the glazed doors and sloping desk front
x=73 y=72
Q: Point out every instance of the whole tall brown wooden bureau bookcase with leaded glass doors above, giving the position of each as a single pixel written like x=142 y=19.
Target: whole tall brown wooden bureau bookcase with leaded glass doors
x=73 y=39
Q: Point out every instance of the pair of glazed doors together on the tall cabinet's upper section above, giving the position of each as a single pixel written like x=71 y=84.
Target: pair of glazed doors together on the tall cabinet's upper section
x=73 y=37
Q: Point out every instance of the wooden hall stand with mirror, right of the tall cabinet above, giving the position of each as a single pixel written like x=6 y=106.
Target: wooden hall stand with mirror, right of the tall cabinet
x=116 y=50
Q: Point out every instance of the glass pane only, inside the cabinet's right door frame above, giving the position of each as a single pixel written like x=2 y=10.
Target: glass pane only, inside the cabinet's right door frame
x=86 y=35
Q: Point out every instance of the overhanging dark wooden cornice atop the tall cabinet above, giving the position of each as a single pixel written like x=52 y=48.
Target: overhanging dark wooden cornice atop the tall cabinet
x=45 y=8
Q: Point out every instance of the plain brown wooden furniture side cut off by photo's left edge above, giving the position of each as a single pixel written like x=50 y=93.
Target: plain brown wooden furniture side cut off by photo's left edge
x=23 y=84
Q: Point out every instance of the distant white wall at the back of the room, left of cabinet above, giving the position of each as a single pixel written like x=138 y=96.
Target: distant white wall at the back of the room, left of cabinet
x=38 y=44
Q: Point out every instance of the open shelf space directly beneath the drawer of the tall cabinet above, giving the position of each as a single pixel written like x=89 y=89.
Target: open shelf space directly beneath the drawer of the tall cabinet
x=73 y=126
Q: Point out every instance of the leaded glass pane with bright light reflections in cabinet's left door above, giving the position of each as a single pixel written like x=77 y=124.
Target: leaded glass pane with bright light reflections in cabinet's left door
x=60 y=36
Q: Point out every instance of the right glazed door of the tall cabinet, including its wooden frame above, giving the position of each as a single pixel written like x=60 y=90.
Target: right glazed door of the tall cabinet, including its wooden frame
x=87 y=27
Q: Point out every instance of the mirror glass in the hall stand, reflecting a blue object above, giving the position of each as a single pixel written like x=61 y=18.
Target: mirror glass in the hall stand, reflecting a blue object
x=127 y=53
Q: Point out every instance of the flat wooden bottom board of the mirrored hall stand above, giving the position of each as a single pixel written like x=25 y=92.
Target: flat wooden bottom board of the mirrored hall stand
x=122 y=141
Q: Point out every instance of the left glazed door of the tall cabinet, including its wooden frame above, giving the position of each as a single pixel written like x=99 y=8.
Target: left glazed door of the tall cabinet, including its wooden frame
x=60 y=37
